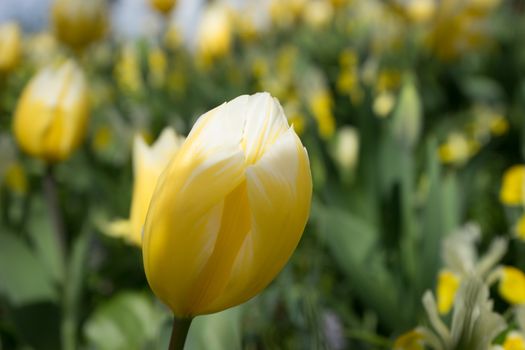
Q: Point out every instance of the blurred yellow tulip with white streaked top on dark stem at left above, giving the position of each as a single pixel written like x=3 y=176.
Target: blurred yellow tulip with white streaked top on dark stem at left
x=52 y=113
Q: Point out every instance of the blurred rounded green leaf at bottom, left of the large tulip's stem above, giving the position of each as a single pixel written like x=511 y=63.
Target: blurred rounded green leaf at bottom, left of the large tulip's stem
x=130 y=320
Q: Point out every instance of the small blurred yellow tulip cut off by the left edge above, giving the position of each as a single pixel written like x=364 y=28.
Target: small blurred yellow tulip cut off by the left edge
x=10 y=46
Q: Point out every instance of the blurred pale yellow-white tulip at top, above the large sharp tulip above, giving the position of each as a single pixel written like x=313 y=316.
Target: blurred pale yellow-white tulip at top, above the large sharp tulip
x=214 y=36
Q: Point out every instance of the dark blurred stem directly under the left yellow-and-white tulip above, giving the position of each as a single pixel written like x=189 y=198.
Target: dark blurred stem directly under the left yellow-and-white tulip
x=51 y=193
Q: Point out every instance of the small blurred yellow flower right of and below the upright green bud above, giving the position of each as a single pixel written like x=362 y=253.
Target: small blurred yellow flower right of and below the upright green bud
x=457 y=149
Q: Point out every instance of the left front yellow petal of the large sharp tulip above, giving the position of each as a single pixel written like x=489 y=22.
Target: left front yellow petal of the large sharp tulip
x=184 y=220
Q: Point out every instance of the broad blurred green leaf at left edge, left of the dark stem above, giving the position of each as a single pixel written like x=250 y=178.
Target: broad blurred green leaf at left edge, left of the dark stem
x=23 y=278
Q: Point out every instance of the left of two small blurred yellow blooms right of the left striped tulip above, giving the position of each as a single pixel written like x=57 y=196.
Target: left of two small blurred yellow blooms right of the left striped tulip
x=127 y=70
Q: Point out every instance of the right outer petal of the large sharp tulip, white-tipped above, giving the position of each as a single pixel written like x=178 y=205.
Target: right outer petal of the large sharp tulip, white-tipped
x=279 y=192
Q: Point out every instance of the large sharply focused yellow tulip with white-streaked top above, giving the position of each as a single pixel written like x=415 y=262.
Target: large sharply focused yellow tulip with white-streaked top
x=229 y=210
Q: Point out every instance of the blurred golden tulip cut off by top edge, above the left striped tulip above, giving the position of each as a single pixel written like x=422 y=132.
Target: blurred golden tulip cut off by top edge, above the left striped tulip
x=77 y=23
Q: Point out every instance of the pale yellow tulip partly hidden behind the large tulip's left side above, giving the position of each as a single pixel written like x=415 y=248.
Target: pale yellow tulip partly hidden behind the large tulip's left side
x=148 y=164
